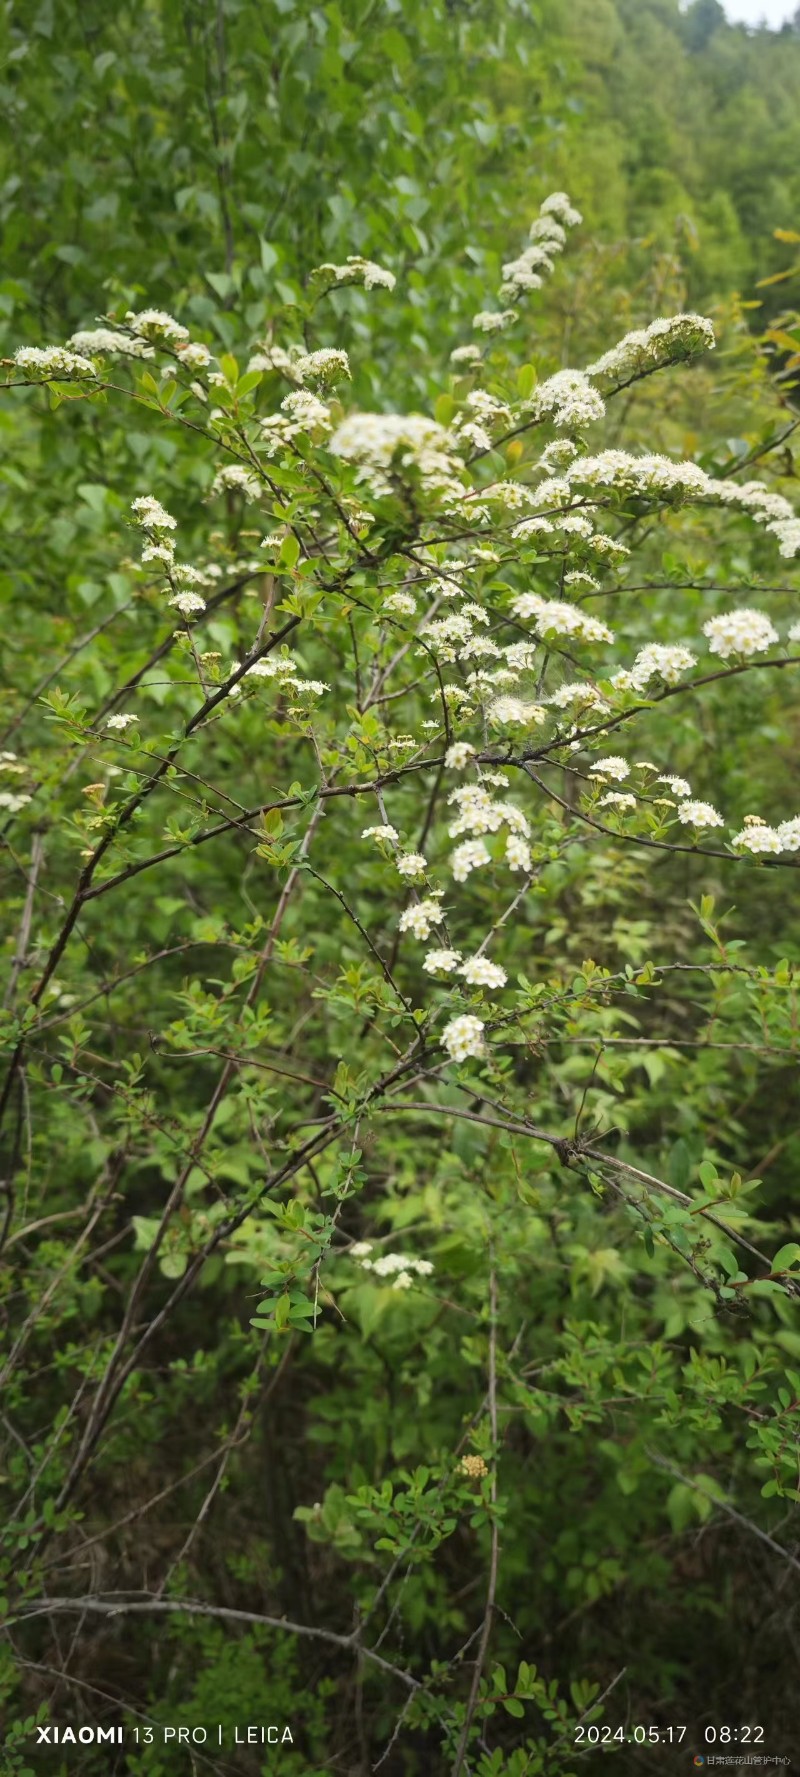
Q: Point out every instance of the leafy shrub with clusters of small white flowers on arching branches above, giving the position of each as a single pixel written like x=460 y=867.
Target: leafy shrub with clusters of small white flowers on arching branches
x=326 y=822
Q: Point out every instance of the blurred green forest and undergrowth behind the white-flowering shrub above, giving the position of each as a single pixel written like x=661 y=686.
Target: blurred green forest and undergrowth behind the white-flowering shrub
x=202 y=159
